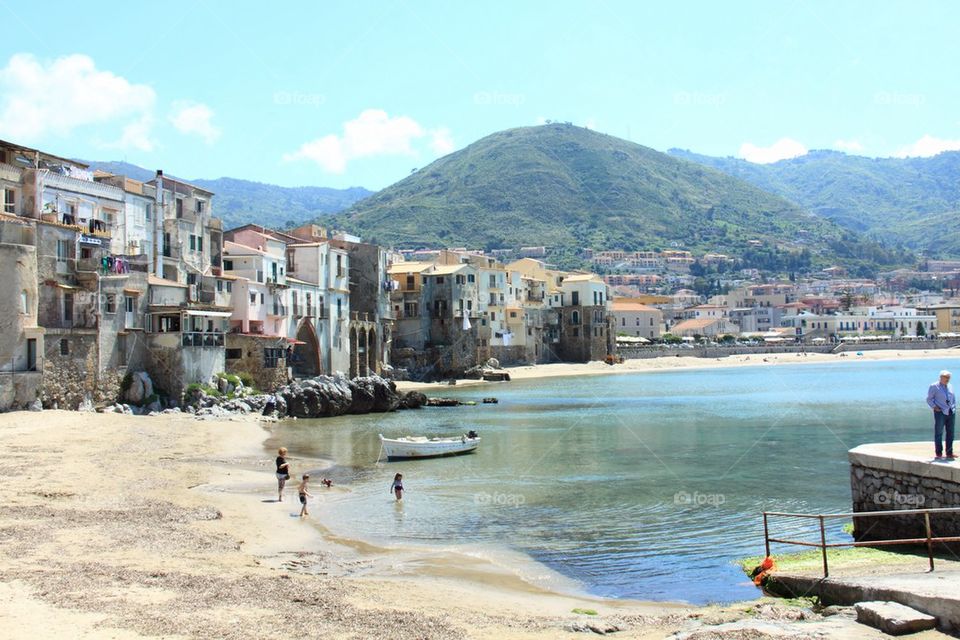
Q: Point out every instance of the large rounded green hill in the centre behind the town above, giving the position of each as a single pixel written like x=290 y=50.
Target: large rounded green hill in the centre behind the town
x=568 y=187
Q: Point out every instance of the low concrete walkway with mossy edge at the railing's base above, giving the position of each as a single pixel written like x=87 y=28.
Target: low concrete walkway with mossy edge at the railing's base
x=936 y=593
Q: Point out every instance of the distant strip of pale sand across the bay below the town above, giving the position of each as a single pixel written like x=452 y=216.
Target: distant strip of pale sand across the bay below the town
x=680 y=362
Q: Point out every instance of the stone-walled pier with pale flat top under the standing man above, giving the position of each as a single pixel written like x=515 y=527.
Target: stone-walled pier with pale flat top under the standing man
x=892 y=477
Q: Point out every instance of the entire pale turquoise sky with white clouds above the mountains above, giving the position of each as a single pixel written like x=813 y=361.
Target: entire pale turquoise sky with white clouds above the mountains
x=346 y=94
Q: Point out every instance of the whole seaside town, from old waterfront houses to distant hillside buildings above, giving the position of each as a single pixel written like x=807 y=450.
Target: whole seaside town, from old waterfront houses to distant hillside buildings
x=105 y=274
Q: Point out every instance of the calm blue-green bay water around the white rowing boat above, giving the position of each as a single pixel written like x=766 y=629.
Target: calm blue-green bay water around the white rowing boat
x=643 y=486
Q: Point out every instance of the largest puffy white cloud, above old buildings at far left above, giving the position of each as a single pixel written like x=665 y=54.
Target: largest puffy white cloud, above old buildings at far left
x=41 y=98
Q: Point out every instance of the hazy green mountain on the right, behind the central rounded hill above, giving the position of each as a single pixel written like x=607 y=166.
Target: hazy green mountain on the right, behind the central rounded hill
x=899 y=200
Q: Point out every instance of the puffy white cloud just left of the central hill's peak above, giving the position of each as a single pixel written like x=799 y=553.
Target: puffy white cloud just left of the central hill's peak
x=372 y=133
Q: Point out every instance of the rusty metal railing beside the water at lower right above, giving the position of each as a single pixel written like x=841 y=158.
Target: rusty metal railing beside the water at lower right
x=823 y=545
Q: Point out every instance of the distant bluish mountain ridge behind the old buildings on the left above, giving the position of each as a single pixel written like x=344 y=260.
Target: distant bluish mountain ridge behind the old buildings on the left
x=238 y=202
